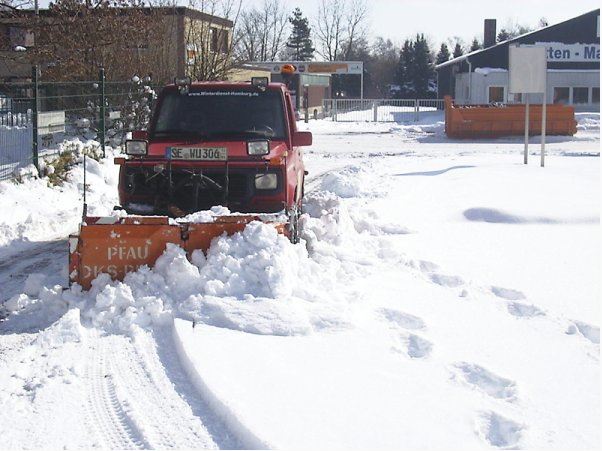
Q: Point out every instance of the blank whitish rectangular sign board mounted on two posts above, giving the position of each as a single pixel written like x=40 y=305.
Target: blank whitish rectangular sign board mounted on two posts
x=528 y=69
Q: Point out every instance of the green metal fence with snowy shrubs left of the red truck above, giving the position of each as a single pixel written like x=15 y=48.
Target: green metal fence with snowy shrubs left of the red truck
x=36 y=117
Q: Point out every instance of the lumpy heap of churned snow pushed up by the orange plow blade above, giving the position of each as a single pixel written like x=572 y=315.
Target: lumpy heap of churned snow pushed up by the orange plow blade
x=254 y=281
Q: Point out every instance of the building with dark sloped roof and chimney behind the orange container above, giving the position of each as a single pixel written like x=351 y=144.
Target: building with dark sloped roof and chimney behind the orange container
x=573 y=76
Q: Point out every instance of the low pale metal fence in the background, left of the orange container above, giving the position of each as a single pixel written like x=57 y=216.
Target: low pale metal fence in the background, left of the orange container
x=381 y=110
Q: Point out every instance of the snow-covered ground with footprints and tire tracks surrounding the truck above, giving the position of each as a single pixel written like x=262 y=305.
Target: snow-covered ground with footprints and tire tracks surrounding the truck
x=445 y=295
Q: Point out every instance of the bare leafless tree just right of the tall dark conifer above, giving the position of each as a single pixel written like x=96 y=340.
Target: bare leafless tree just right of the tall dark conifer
x=340 y=24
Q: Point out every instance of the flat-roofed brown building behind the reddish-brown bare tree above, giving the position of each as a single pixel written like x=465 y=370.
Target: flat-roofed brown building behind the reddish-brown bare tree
x=179 y=42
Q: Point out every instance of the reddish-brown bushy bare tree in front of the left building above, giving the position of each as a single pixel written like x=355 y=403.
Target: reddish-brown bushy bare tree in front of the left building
x=74 y=38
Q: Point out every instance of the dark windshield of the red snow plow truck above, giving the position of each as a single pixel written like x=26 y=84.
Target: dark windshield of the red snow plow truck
x=221 y=114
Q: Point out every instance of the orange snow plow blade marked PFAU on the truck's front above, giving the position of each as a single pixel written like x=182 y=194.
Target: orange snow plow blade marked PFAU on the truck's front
x=117 y=246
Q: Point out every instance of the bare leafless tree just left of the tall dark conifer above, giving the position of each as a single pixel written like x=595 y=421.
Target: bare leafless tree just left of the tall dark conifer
x=262 y=32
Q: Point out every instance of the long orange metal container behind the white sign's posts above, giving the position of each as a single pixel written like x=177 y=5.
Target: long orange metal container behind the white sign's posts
x=482 y=121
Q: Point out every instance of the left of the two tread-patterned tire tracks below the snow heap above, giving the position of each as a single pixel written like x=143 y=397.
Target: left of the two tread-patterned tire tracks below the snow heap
x=106 y=415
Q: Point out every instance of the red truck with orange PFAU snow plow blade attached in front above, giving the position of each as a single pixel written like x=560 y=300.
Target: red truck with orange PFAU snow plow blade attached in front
x=208 y=144
